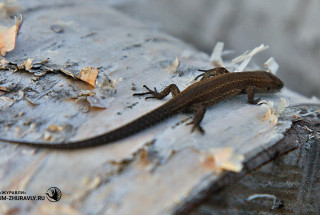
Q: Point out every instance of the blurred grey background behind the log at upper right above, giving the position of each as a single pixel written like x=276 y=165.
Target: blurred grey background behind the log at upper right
x=290 y=28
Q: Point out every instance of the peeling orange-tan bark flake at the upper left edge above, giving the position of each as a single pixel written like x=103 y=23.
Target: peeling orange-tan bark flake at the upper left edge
x=8 y=36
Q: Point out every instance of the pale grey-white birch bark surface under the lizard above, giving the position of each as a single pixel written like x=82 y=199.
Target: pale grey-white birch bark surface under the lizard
x=158 y=171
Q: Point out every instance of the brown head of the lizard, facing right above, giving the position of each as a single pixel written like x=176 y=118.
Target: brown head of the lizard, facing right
x=272 y=84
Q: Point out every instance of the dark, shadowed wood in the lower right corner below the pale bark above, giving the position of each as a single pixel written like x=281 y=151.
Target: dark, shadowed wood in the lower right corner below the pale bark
x=293 y=178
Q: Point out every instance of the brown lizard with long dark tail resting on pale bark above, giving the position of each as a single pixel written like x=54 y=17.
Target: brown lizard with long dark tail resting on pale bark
x=215 y=85
